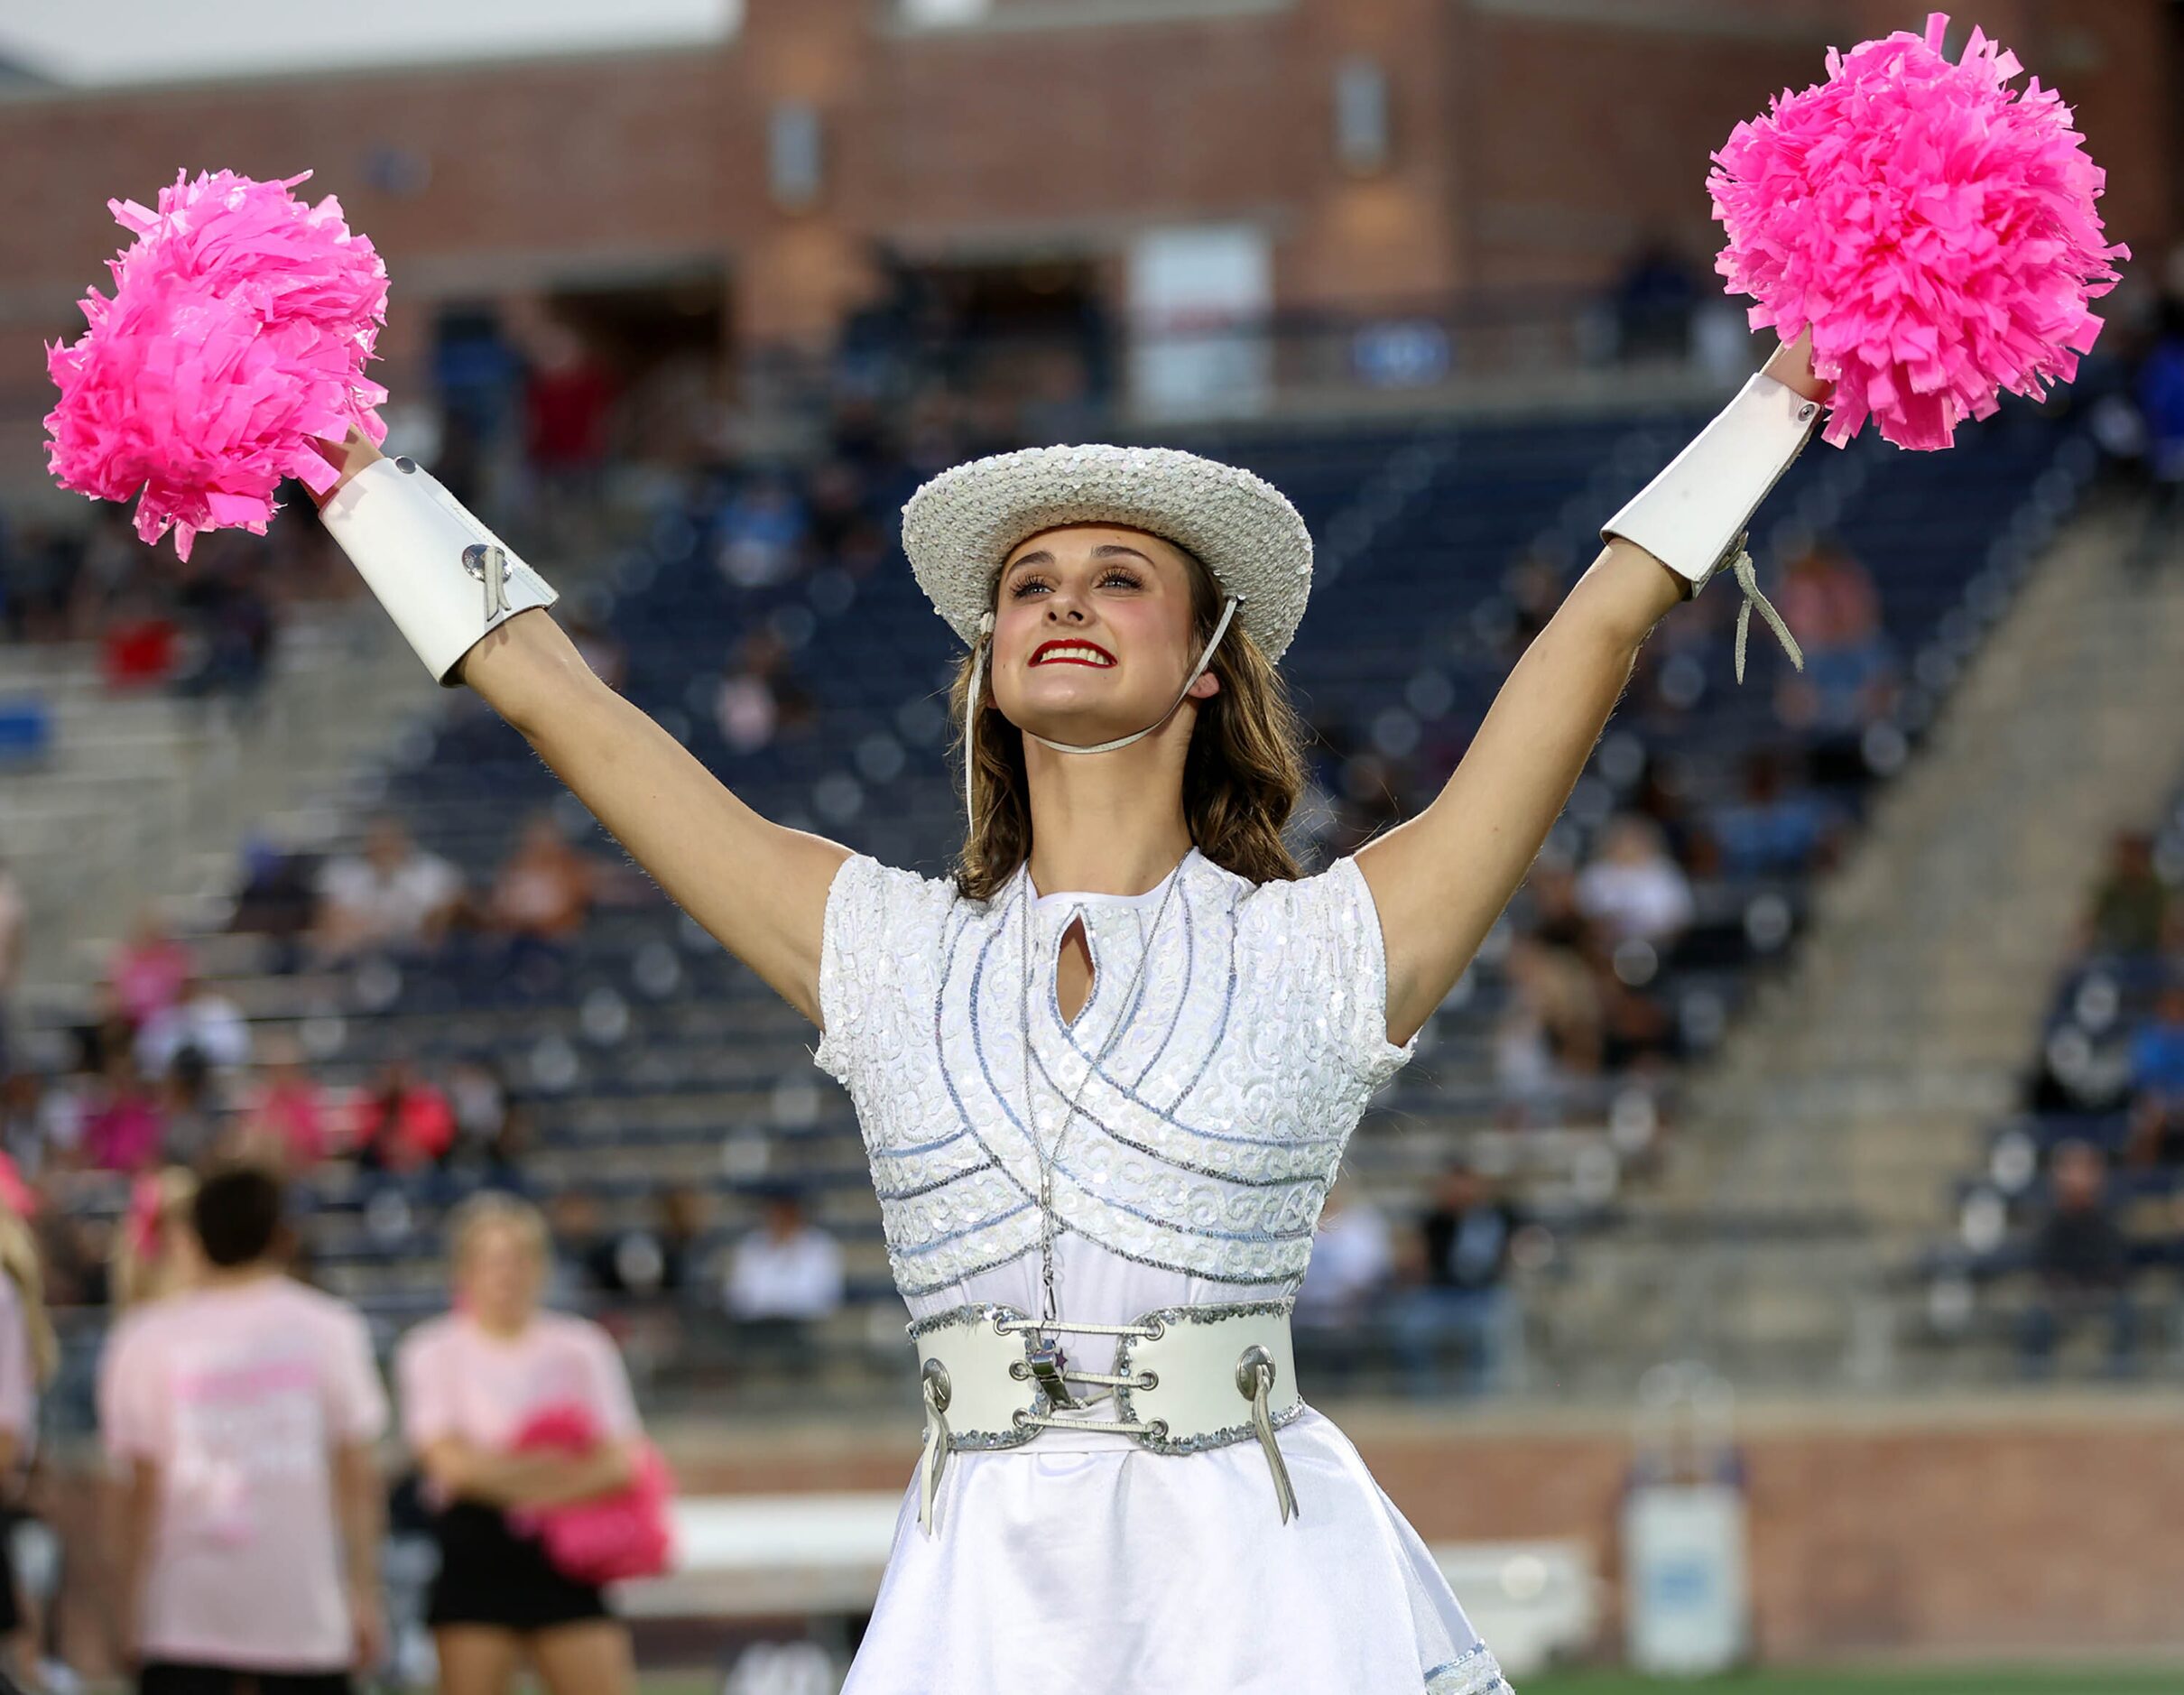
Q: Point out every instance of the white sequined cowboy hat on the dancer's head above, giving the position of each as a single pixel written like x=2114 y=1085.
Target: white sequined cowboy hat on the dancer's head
x=964 y=523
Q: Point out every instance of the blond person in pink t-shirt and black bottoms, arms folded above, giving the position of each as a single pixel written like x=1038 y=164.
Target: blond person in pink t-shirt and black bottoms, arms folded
x=468 y=1384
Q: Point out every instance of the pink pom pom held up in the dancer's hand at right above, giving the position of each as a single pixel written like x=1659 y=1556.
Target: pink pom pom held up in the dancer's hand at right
x=1932 y=228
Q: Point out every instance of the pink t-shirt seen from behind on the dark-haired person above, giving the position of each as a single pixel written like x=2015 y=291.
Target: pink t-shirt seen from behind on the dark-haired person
x=241 y=1399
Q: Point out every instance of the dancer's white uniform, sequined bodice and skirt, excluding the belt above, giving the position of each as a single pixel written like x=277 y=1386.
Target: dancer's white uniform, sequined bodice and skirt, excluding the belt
x=1204 y=1141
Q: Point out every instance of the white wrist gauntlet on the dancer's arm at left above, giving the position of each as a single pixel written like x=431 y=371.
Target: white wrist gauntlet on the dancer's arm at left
x=440 y=573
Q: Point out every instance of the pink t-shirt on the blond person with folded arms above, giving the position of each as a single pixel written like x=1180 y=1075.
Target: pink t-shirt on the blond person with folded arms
x=458 y=1379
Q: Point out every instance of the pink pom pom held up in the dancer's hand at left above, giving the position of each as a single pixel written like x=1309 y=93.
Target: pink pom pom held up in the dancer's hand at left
x=239 y=331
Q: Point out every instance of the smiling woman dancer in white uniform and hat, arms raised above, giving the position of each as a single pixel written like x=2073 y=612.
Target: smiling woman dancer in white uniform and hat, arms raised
x=1108 y=1071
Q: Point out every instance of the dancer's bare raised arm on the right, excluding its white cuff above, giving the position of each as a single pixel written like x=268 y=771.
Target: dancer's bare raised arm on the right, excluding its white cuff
x=1443 y=879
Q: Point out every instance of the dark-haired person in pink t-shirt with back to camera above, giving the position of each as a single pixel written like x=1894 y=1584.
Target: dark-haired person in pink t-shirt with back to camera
x=241 y=1419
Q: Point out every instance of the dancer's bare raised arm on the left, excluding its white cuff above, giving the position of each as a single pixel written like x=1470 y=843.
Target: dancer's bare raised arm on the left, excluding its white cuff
x=757 y=886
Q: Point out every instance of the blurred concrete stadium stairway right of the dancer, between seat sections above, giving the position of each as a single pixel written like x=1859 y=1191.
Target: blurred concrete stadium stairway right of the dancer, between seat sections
x=1820 y=1143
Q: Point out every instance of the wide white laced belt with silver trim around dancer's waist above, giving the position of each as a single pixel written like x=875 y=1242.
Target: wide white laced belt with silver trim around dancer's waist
x=1185 y=1379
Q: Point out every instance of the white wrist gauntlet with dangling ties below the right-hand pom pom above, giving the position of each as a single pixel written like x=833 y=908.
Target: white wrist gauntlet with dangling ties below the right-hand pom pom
x=1696 y=512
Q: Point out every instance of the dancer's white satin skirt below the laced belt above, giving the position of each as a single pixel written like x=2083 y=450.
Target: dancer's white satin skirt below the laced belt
x=1087 y=1565
